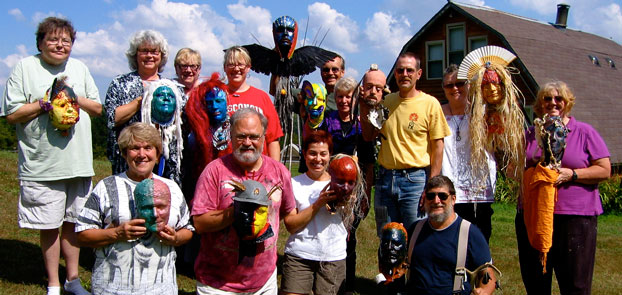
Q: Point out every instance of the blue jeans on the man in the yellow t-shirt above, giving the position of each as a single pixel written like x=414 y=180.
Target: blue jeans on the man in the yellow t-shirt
x=397 y=196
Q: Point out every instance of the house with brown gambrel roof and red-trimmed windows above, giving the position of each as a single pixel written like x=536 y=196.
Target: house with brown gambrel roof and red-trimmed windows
x=589 y=64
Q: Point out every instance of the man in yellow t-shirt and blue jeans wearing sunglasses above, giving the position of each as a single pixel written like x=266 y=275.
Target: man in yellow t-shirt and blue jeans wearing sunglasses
x=412 y=146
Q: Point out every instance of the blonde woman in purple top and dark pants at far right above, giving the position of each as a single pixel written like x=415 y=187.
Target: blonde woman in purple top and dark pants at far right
x=584 y=164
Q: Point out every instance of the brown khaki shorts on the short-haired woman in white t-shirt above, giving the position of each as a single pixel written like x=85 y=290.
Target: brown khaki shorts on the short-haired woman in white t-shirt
x=298 y=276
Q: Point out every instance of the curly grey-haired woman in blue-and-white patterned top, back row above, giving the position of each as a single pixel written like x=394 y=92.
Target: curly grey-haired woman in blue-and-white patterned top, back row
x=146 y=57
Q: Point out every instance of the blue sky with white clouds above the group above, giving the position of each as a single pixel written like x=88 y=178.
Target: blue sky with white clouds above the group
x=364 y=31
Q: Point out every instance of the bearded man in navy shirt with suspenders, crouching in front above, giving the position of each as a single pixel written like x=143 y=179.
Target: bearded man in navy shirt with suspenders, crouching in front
x=434 y=244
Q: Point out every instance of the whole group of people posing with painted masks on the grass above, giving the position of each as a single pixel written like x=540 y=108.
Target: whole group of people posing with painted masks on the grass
x=194 y=158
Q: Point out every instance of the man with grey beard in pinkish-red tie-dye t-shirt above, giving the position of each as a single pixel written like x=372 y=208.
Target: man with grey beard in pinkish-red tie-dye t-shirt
x=221 y=267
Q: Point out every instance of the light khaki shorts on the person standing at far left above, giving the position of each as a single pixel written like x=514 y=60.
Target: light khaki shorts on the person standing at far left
x=47 y=204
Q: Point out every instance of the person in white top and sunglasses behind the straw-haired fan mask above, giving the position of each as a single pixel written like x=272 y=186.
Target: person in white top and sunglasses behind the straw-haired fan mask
x=473 y=198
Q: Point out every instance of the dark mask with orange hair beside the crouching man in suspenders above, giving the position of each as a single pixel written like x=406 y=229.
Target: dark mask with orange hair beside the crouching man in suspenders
x=393 y=251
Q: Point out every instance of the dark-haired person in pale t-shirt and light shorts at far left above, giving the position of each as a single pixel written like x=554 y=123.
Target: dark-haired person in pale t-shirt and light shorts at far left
x=54 y=168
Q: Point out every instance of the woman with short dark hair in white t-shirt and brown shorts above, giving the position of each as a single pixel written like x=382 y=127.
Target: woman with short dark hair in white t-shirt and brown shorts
x=315 y=252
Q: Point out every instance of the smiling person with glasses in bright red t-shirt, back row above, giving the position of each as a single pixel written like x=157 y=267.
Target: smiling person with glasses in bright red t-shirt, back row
x=237 y=64
